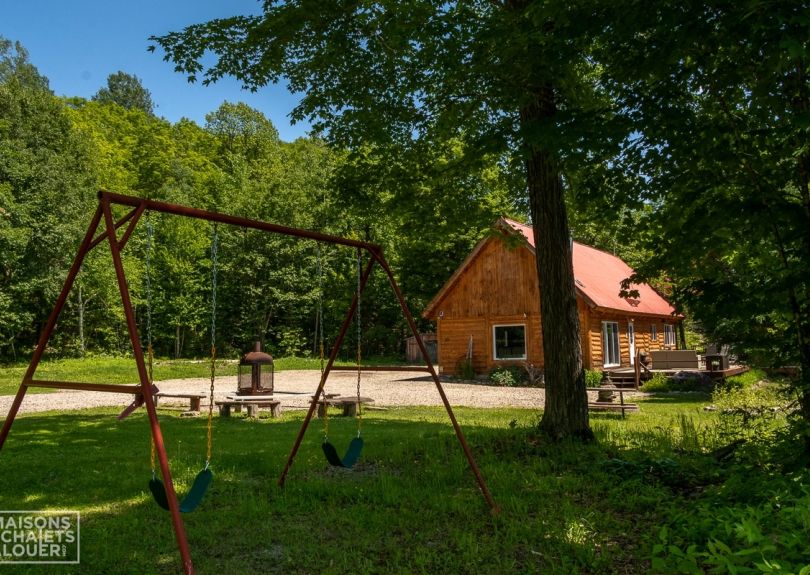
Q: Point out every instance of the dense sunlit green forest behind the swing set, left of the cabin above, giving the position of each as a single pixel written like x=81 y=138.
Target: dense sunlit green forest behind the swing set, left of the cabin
x=55 y=154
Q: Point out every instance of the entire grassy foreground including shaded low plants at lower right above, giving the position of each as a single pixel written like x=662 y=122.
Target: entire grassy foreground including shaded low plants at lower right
x=645 y=492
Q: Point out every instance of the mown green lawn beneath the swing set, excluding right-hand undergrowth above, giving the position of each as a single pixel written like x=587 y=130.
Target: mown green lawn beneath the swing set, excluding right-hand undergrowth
x=411 y=506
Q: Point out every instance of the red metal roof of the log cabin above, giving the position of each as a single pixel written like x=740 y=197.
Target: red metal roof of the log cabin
x=598 y=277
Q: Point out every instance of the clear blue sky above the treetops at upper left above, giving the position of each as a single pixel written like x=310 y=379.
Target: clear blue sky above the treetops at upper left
x=76 y=45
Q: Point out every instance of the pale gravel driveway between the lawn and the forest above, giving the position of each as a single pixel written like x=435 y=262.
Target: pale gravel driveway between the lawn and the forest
x=294 y=388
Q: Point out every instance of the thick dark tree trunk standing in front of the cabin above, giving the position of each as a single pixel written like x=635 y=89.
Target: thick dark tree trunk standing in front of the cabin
x=566 y=410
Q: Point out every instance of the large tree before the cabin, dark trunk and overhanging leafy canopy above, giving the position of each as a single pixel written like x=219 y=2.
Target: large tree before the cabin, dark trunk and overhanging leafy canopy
x=510 y=79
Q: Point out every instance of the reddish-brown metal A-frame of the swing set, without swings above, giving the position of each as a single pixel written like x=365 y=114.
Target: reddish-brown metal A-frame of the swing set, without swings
x=109 y=232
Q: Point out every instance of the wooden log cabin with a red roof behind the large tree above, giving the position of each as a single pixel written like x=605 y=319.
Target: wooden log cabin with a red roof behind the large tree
x=489 y=309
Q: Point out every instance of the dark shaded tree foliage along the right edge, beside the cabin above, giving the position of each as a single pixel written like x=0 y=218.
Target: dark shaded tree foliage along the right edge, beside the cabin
x=722 y=117
